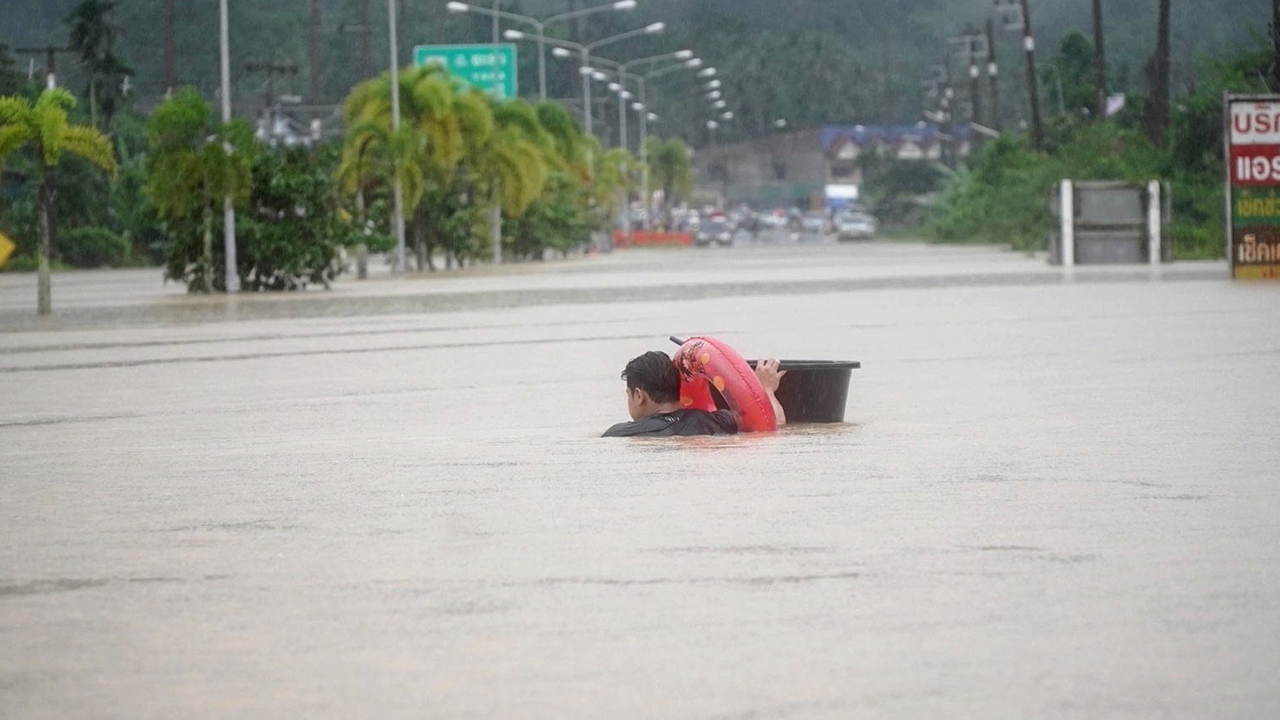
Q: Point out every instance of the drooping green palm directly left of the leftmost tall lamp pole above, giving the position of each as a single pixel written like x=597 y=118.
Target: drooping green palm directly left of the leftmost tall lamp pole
x=194 y=163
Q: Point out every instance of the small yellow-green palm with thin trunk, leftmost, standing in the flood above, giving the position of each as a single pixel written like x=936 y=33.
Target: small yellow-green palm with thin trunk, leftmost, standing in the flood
x=44 y=126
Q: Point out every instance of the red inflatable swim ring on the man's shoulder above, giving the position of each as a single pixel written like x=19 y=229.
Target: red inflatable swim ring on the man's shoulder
x=706 y=362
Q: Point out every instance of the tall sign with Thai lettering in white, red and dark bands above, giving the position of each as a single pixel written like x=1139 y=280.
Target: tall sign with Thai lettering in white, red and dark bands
x=1254 y=185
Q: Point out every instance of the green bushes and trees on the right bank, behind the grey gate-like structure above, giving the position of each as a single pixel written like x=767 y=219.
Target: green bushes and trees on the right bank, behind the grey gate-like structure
x=1004 y=192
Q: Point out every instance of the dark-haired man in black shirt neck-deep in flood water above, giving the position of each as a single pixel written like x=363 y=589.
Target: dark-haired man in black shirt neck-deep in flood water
x=653 y=402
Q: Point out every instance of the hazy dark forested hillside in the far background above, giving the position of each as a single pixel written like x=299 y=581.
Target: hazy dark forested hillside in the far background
x=811 y=62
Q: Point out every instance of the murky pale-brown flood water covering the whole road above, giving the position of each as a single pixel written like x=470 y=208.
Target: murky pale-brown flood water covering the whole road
x=1054 y=496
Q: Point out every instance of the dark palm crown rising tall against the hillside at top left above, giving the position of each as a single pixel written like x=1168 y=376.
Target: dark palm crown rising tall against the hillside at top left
x=93 y=35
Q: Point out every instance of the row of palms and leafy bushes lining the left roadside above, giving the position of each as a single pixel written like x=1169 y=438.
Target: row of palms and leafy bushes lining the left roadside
x=477 y=175
